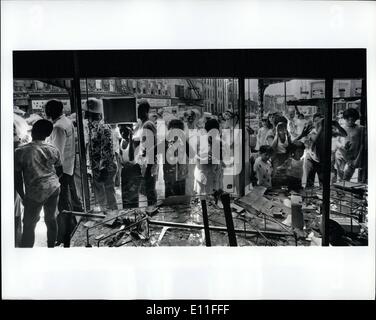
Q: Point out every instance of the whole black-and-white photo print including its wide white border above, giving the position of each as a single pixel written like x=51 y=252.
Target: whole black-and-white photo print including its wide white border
x=244 y=154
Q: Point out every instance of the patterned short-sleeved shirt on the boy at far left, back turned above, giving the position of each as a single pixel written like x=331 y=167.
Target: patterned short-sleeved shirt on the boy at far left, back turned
x=37 y=161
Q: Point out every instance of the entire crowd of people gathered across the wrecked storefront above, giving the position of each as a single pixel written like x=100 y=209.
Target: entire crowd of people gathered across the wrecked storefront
x=160 y=146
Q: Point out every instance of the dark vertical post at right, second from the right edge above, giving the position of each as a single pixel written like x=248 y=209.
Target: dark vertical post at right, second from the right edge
x=325 y=167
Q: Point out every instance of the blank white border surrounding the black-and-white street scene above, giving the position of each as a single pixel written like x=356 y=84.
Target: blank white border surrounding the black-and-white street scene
x=184 y=273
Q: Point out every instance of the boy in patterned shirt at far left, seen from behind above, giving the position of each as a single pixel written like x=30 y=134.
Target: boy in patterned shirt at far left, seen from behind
x=38 y=165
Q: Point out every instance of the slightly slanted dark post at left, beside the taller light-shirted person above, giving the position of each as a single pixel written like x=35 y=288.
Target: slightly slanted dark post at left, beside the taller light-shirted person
x=80 y=131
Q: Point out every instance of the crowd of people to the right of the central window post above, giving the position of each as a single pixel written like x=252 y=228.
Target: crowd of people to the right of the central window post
x=290 y=148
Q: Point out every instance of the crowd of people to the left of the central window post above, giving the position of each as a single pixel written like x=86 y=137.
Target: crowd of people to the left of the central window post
x=47 y=166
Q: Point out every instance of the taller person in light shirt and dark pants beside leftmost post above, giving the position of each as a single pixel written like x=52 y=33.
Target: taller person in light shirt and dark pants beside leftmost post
x=63 y=138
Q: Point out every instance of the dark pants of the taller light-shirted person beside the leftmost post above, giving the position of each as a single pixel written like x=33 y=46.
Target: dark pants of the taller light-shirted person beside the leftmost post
x=65 y=222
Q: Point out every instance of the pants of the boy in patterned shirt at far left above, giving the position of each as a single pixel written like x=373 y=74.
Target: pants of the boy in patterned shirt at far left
x=32 y=215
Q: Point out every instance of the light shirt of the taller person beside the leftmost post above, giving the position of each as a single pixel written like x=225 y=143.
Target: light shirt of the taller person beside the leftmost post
x=62 y=137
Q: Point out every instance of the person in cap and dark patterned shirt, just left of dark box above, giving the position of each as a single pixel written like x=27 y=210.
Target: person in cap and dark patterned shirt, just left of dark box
x=102 y=155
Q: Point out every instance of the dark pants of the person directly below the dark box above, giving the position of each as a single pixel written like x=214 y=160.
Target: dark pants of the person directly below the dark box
x=130 y=184
